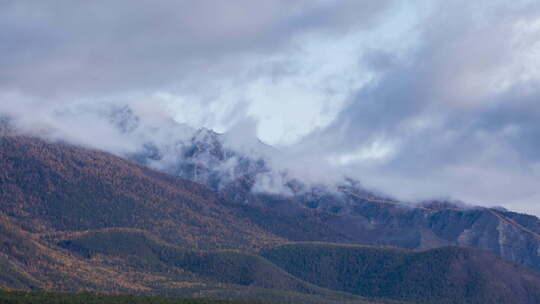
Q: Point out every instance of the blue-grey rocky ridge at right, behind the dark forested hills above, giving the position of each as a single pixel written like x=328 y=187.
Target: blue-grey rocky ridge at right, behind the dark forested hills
x=354 y=217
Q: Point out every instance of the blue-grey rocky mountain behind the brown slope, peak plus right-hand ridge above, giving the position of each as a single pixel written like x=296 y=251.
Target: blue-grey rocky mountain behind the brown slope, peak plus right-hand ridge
x=346 y=212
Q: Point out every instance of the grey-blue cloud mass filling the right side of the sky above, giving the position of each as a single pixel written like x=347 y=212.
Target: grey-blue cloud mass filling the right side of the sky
x=461 y=109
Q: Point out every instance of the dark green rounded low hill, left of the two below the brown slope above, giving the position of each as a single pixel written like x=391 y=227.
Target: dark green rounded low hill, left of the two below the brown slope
x=145 y=253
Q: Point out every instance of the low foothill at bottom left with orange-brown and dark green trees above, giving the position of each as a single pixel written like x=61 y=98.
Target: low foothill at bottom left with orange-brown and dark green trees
x=120 y=260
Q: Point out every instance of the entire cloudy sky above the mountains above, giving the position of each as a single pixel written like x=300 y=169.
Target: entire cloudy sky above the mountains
x=417 y=99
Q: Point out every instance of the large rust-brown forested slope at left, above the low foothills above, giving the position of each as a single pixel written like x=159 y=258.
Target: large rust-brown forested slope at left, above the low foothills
x=57 y=187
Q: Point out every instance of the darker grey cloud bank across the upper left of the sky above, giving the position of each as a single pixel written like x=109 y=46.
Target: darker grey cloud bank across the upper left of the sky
x=100 y=47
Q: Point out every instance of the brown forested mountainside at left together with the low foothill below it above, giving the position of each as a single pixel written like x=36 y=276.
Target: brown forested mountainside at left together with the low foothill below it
x=75 y=219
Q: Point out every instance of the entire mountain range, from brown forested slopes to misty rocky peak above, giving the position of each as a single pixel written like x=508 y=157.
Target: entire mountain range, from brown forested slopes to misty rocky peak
x=76 y=219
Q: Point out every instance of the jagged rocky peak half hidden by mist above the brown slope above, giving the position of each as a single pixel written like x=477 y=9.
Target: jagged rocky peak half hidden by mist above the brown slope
x=202 y=156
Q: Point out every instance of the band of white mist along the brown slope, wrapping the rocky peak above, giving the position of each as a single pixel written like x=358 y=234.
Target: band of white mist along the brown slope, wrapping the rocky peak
x=158 y=141
